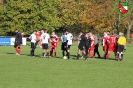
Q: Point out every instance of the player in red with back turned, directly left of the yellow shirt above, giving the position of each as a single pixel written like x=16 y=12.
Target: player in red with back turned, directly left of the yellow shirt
x=112 y=45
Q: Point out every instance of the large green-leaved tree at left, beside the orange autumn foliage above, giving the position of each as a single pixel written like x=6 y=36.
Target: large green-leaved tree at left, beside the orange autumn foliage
x=29 y=15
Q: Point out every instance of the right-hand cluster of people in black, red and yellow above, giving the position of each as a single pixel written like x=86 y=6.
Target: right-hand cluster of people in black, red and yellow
x=110 y=43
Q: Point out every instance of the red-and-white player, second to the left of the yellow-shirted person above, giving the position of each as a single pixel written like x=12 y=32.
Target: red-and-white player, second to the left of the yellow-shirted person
x=105 y=43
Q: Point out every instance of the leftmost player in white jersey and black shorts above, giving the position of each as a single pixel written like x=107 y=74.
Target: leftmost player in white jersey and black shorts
x=33 y=43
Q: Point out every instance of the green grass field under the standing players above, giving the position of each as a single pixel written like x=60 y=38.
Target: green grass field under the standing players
x=34 y=72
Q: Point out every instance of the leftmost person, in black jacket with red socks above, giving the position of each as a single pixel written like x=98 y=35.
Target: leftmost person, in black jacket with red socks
x=18 y=42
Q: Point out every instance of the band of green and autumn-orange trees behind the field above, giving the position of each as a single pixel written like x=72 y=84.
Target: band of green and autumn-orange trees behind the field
x=76 y=15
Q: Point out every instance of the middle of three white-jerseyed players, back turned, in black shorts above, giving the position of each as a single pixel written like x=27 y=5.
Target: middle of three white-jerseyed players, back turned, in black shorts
x=45 y=40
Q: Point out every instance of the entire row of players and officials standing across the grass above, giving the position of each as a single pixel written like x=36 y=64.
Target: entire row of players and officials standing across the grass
x=87 y=44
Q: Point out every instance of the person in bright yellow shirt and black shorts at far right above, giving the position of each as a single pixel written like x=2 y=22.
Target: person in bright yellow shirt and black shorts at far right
x=121 y=45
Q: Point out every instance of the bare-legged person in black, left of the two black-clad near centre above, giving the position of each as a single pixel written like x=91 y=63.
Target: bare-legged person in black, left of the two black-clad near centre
x=81 y=46
